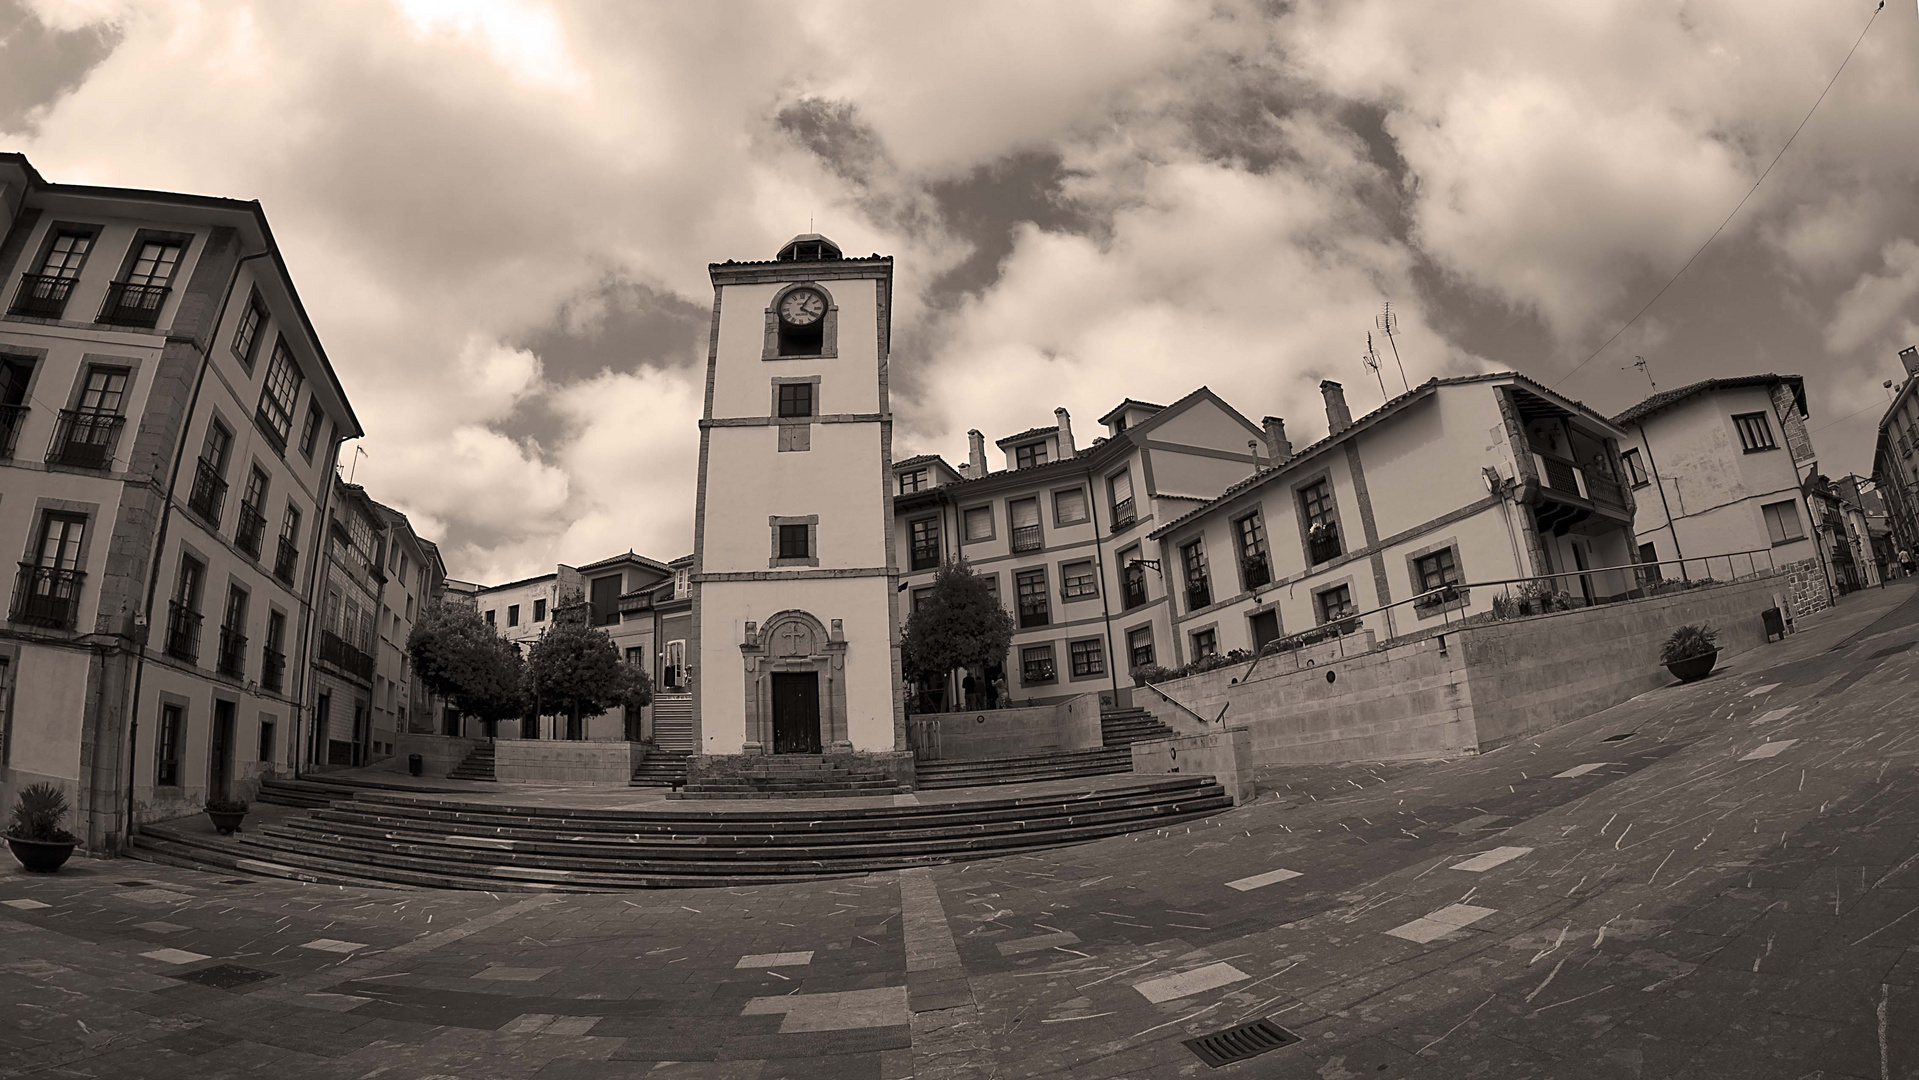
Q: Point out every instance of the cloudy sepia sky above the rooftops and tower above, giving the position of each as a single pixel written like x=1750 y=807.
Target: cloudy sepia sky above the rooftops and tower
x=502 y=214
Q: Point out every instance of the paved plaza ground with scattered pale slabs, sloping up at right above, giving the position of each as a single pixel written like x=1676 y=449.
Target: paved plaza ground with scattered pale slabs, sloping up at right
x=1709 y=881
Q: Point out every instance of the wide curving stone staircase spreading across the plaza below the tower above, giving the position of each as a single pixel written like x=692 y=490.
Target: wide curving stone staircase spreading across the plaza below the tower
x=389 y=839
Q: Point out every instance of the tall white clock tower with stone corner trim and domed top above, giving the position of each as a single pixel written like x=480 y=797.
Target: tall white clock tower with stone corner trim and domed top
x=795 y=644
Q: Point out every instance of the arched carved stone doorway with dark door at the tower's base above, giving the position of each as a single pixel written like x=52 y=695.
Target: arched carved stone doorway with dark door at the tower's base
x=795 y=686
